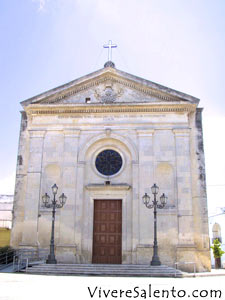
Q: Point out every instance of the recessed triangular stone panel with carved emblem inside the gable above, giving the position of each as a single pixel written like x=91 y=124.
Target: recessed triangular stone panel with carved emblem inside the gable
x=109 y=89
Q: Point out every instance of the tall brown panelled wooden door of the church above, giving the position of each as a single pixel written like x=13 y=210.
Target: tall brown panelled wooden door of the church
x=107 y=232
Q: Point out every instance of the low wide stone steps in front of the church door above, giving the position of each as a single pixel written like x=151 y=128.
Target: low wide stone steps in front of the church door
x=105 y=270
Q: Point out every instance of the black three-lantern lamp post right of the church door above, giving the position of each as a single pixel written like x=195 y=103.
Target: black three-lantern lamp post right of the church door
x=146 y=200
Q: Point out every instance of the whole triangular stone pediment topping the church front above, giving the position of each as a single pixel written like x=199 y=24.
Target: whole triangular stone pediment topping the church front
x=108 y=86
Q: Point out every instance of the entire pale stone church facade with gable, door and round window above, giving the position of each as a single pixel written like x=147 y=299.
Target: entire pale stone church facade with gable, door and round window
x=105 y=139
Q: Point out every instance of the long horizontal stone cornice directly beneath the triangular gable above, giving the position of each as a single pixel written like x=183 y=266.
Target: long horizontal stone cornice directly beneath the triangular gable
x=107 y=109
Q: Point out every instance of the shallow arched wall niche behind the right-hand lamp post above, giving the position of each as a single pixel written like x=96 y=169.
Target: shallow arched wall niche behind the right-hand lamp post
x=165 y=180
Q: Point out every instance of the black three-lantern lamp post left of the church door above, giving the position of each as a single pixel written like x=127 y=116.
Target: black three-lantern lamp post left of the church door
x=53 y=204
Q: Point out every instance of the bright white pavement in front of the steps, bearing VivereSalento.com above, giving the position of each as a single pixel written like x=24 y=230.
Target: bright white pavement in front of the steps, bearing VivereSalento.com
x=14 y=286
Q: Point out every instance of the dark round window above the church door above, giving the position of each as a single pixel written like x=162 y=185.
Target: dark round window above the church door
x=108 y=162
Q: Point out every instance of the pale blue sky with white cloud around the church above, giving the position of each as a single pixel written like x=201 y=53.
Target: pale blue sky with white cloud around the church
x=179 y=44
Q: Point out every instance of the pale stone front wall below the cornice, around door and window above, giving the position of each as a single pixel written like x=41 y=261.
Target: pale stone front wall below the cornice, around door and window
x=156 y=148
